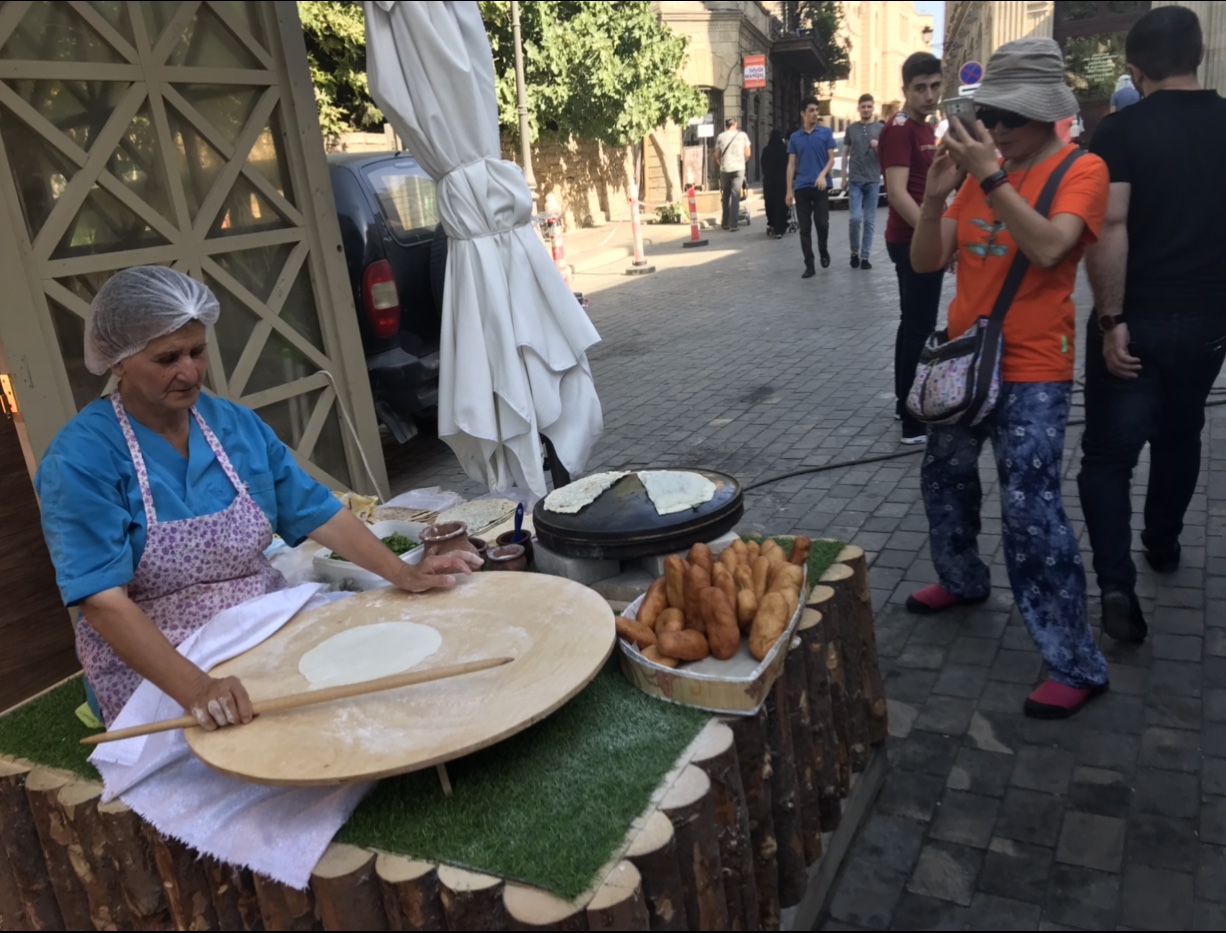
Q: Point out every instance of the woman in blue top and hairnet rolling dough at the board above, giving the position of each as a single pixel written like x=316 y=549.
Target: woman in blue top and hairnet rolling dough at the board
x=159 y=503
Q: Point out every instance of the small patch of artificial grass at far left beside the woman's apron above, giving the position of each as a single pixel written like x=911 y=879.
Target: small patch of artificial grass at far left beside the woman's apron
x=47 y=731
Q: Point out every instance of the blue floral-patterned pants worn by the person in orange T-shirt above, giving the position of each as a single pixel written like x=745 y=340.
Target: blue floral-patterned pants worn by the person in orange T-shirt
x=1027 y=431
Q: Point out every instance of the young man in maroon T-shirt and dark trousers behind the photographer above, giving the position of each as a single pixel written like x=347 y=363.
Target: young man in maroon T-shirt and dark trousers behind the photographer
x=907 y=150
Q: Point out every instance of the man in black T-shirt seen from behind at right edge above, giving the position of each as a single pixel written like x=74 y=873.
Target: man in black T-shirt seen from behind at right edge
x=1158 y=338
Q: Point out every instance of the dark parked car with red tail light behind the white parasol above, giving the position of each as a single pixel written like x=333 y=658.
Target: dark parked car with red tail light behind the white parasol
x=397 y=253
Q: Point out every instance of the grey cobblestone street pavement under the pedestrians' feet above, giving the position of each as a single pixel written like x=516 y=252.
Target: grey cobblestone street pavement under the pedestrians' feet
x=725 y=359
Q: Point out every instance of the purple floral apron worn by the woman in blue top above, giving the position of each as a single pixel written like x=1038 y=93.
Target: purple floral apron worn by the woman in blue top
x=191 y=571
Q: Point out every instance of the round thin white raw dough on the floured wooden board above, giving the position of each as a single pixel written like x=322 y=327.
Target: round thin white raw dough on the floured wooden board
x=365 y=654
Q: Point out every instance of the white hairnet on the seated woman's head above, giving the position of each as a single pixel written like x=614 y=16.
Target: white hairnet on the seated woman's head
x=139 y=306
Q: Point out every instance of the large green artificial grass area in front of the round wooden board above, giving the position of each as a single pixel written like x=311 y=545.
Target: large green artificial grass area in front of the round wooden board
x=547 y=807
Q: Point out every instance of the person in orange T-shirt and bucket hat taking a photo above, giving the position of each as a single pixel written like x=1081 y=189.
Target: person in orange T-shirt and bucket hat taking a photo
x=1000 y=236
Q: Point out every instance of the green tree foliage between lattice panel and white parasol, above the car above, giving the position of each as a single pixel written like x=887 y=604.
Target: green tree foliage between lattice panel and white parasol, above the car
x=337 y=48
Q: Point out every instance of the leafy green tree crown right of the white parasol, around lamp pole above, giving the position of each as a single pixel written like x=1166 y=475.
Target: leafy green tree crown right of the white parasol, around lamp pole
x=607 y=72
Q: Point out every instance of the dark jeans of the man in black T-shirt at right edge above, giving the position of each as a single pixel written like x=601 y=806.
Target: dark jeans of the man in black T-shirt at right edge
x=1181 y=355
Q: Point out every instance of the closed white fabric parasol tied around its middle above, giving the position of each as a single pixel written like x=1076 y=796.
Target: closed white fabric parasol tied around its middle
x=513 y=356
